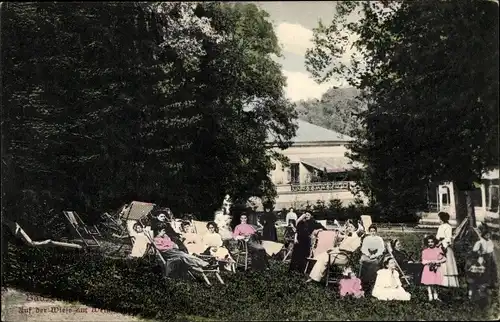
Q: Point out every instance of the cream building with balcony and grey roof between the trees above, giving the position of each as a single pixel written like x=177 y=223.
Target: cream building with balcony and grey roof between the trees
x=318 y=169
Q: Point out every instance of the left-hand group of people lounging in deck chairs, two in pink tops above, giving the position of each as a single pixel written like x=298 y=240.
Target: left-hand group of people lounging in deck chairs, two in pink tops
x=183 y=248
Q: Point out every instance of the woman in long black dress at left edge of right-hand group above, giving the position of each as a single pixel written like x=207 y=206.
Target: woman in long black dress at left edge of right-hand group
x=302 y=245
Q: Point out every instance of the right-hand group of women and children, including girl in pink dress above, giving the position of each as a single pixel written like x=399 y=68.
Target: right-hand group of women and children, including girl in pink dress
x=384 y=265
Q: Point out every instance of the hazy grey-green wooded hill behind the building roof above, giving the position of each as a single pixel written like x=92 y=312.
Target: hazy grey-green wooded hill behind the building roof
x=335 y=110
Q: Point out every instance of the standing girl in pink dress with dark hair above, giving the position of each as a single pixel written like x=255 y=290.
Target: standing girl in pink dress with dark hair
x=432 y=258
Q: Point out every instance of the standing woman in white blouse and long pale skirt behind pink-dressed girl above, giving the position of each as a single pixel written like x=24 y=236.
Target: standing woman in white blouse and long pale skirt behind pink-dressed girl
x=444 y=235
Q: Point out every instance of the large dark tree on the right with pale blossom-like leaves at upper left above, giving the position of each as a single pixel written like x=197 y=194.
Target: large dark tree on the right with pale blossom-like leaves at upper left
x=430 y=74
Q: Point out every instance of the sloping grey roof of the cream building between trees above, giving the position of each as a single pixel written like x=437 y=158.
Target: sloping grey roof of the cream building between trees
x=310 y=133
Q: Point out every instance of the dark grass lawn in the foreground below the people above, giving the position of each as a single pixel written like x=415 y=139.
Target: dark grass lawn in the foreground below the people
x=136 y=287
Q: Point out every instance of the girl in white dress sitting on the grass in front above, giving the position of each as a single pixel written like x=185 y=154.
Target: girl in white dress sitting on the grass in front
x=388 y=286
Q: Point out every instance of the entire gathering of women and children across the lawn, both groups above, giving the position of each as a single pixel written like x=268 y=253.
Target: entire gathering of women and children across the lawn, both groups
x=382 y=265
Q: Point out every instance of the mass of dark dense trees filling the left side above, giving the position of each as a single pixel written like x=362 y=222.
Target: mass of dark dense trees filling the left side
x=171 y=103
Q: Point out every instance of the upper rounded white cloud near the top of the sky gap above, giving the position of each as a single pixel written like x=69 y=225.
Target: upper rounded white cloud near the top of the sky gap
x=294 y=38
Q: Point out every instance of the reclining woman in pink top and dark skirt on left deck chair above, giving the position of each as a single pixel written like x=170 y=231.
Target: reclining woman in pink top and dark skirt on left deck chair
x=177 y=262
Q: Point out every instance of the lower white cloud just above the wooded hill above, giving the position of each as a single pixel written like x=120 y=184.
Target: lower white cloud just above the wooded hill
x=301 y=86
